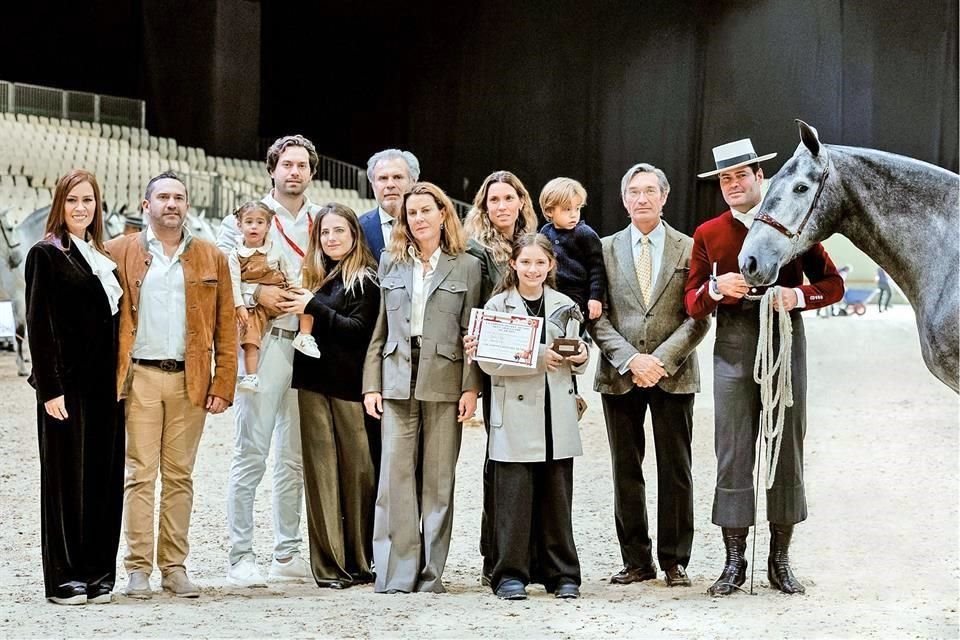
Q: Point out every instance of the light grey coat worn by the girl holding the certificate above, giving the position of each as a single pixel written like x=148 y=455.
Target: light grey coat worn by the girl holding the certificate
x=517 y=413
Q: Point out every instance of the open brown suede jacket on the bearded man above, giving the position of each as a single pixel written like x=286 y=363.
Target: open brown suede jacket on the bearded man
x=211 y=326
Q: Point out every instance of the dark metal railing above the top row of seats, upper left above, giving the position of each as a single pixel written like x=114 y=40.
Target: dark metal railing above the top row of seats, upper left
x=35 y=100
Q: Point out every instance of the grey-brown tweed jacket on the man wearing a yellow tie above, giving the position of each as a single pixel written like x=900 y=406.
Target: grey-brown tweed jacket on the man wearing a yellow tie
x=661 y=328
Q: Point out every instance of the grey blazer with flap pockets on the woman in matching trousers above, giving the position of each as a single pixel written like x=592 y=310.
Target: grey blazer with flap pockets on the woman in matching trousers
x=442 y=375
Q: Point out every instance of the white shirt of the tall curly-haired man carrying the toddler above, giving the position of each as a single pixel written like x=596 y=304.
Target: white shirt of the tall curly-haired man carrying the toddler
x=296 y=227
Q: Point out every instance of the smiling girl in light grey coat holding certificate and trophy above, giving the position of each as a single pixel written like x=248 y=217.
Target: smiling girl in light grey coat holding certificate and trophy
x=534 y=435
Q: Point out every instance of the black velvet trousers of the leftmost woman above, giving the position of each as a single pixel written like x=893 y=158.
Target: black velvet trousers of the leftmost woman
x=81 y=490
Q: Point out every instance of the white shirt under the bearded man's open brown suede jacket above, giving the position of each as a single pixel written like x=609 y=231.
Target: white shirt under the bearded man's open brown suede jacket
x=162 y=316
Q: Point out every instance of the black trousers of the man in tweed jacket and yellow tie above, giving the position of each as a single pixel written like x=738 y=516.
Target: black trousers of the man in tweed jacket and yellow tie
x=672 y=415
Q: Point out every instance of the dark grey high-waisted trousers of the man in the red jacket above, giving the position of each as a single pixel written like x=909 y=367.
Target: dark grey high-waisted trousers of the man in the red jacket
x=737 y=423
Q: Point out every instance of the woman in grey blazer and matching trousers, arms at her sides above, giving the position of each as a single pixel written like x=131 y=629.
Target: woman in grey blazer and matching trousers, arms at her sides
x=415 y=377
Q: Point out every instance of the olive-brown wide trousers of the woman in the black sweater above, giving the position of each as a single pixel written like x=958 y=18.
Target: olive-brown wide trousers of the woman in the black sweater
x=338 y=479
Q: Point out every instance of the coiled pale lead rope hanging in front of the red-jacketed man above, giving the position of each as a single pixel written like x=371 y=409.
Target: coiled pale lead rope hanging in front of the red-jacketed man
x=772 y=371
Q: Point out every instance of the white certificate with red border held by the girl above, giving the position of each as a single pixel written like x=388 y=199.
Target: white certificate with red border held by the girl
x=506 y=338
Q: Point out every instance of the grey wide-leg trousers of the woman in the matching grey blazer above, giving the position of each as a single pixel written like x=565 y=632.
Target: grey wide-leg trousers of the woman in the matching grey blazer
x=411 y=530
